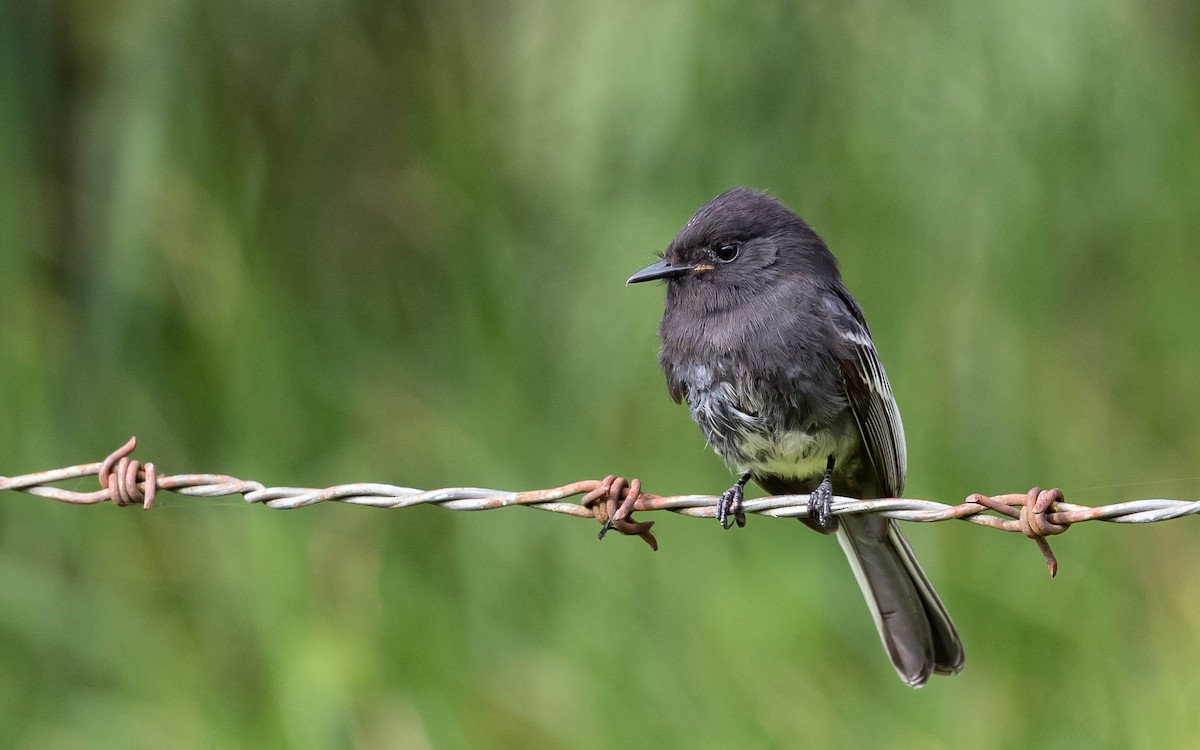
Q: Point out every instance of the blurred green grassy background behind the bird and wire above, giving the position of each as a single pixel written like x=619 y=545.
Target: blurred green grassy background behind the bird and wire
x=316 y=243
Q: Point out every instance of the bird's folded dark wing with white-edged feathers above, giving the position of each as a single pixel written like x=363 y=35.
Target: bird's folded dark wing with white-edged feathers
x=869 y=393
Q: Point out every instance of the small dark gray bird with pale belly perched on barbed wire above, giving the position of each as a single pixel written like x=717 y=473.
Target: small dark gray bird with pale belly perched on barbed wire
x=778 y=368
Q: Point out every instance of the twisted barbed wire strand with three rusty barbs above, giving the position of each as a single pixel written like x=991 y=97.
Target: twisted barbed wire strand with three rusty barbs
x=613 y=501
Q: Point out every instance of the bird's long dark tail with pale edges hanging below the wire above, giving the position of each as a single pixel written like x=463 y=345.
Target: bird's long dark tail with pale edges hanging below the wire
x=916 y=631
